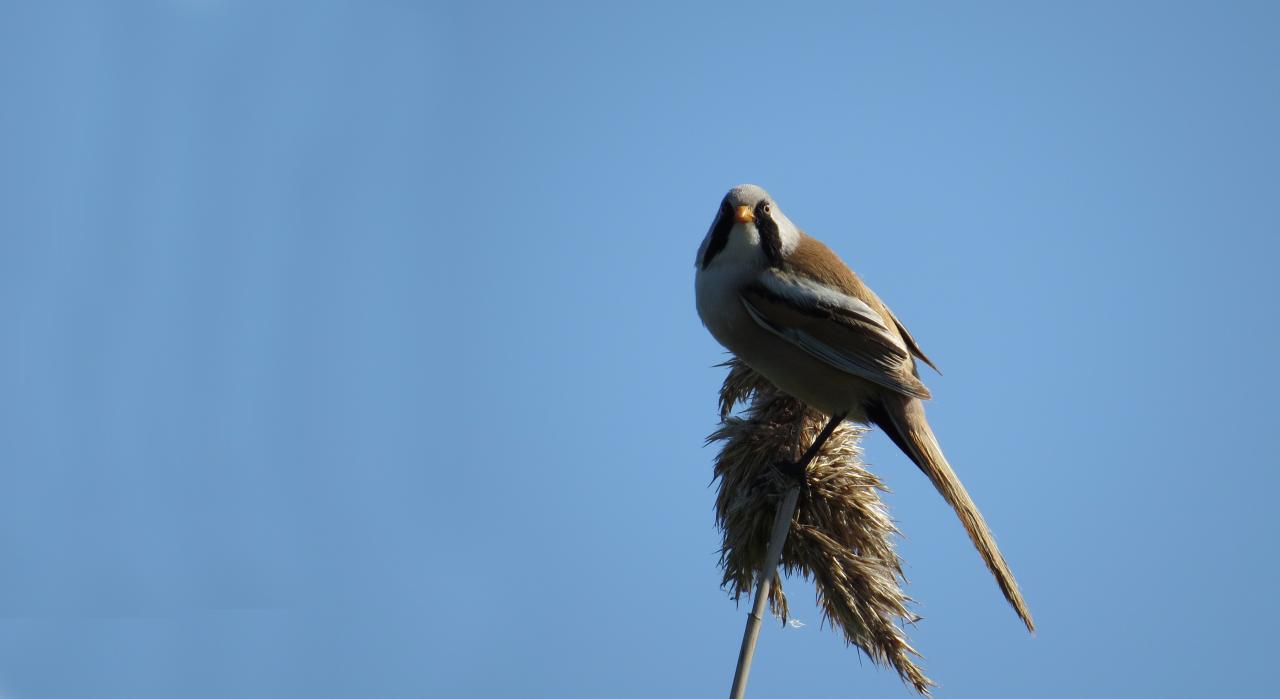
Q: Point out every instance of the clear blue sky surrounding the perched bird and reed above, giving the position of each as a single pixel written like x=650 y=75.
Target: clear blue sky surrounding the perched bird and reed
x=349 y=349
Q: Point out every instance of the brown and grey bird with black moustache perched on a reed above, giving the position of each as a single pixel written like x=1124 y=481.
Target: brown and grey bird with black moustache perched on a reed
x=796 y=313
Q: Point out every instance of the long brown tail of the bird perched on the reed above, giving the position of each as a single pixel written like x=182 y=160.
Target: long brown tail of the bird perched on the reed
x=903 y=419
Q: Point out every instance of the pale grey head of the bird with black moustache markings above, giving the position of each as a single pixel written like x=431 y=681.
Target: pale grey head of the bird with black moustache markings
x=749 y=229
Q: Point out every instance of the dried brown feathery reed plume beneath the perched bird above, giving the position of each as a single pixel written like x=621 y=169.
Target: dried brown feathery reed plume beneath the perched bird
x=842 y=537
